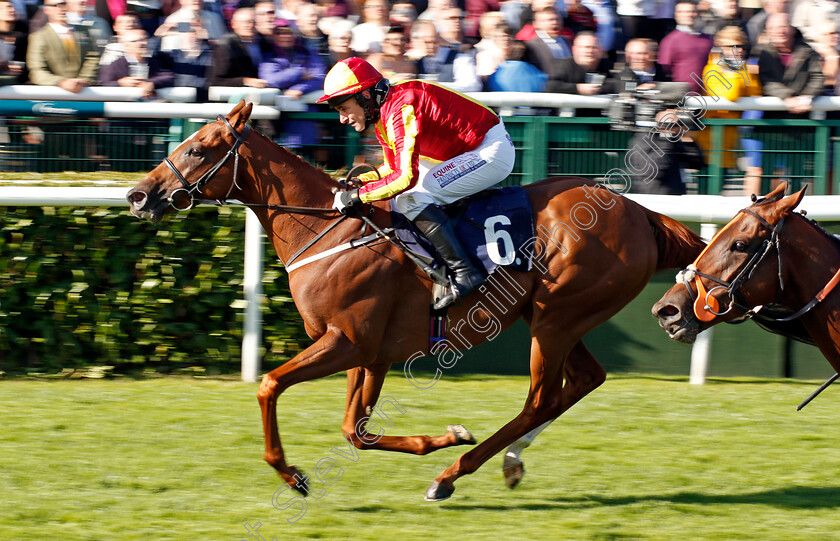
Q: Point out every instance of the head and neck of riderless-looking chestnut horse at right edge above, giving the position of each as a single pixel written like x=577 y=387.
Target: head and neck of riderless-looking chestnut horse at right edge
x=769 y=264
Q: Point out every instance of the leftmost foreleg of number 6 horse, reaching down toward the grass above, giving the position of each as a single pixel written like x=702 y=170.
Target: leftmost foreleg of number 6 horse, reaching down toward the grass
x=331 y=353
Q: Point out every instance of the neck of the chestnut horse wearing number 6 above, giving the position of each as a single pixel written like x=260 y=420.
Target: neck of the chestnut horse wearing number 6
x=281 y=178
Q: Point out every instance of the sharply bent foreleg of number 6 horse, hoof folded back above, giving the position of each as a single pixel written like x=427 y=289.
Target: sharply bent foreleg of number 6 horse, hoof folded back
x=362 y=412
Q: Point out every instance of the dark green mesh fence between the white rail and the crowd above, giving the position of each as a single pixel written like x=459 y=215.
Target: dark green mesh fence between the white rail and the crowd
x=801 y=151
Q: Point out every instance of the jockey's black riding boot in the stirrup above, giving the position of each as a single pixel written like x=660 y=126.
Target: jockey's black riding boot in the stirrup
x=435 y=226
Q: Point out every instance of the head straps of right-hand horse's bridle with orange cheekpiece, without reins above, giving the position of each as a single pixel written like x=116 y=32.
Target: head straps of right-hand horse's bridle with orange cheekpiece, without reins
x=706 y=306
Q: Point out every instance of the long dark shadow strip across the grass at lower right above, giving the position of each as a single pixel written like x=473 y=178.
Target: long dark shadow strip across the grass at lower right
x=793 y=497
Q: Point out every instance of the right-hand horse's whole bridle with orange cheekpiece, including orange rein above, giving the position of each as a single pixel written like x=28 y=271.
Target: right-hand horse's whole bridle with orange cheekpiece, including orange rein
x=707 y=307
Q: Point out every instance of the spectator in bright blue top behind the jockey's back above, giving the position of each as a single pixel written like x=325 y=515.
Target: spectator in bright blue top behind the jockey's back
x=512 y=74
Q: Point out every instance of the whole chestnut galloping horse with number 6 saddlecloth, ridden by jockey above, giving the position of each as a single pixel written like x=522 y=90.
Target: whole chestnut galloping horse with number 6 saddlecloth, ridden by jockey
x=367 y=308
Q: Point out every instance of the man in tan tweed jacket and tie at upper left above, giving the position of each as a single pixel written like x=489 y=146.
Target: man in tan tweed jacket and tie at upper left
x=60 y=56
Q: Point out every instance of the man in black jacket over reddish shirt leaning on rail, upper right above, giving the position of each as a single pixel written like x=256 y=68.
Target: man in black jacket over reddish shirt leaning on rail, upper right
x=788 y=67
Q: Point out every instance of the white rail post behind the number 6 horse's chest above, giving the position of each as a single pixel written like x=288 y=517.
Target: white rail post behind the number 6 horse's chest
x=252 y=289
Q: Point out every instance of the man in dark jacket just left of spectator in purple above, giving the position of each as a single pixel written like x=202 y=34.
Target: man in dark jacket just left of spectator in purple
x=237 y=56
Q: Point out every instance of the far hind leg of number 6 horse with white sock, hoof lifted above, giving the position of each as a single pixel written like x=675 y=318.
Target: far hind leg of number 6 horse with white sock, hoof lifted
x=582 y=374
